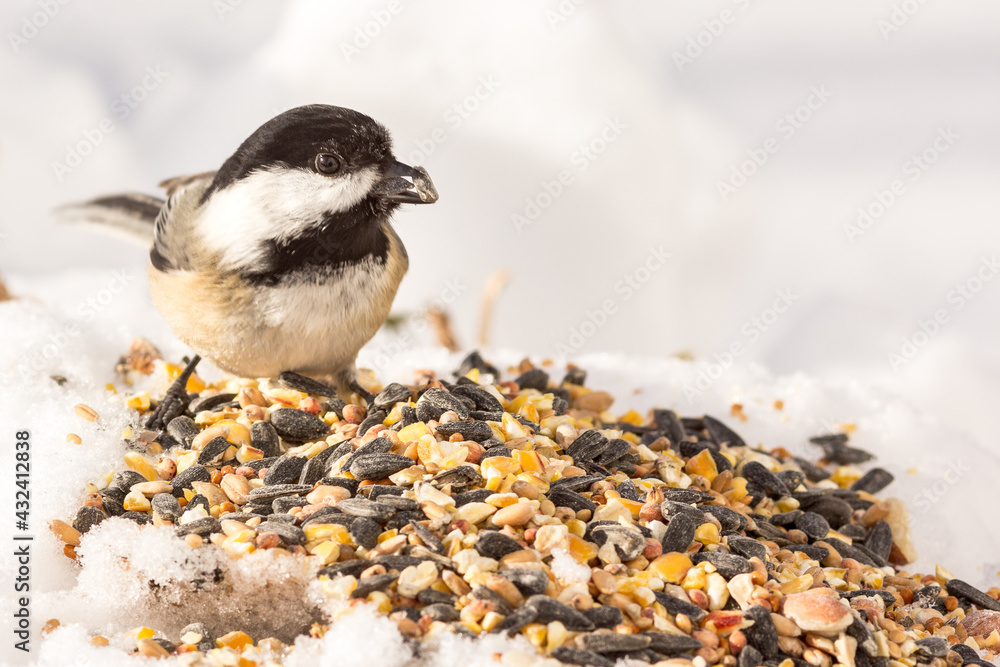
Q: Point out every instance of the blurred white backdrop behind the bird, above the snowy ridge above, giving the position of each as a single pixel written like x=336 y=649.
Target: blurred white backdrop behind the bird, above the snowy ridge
x=644 y=107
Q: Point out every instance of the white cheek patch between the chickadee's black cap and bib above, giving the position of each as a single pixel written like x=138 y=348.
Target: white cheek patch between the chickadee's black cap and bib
x=274 y=205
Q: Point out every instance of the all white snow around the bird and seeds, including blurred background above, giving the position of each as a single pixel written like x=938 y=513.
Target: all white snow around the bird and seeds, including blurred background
x=763 y=289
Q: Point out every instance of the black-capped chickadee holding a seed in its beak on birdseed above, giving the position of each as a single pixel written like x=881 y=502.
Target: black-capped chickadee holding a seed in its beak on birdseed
x=283 y=259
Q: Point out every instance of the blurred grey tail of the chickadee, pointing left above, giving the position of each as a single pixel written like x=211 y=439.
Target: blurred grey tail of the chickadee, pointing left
x=130 y=216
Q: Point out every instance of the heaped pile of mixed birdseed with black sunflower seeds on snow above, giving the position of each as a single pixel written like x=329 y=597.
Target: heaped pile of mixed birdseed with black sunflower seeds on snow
x=470 y=506
